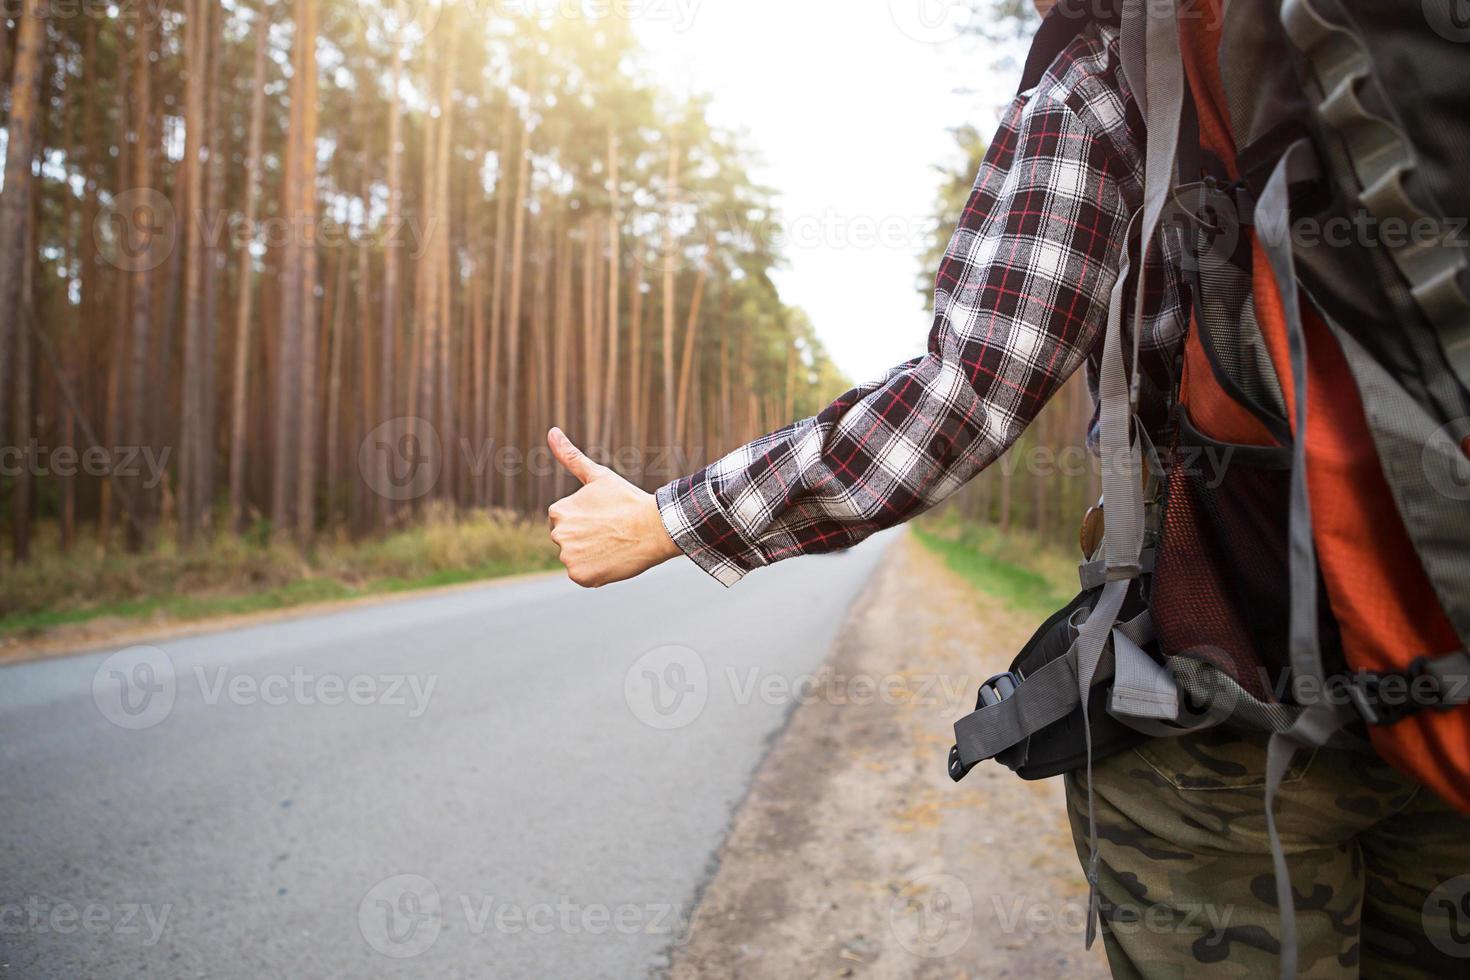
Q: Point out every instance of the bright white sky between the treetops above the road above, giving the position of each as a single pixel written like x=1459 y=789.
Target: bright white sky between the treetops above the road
x=849 y=105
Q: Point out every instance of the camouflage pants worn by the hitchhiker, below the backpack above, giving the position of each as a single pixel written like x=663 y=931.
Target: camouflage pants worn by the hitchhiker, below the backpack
x=1380 y=865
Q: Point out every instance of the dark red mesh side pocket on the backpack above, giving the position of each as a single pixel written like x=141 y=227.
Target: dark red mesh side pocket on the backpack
x=1221 y=584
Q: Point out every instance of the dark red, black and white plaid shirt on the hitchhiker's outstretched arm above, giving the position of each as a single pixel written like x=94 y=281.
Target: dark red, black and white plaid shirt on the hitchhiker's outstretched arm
x=1021 y=303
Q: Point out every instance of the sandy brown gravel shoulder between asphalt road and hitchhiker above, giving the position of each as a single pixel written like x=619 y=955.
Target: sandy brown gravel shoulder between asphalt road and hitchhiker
x=855 y=856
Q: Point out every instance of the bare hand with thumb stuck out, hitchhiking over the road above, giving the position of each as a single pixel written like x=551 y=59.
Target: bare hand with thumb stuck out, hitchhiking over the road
x=608 y=531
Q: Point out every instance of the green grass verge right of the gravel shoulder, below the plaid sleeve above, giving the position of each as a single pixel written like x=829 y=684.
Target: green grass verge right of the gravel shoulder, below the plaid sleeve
x=1028 y=575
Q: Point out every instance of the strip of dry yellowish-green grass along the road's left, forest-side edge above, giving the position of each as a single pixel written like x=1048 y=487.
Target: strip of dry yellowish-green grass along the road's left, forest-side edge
x=234 y=575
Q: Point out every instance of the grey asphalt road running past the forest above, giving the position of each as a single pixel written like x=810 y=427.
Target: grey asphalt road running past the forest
x=515 y=781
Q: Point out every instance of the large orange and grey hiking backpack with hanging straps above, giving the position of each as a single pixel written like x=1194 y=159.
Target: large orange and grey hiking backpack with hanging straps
x=1309 y=155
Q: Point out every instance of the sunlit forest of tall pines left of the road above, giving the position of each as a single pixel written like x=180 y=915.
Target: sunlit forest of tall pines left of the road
x=258 y=256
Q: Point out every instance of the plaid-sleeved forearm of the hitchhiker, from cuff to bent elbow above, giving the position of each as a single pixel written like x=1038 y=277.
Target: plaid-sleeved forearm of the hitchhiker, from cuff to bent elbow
x=872 y=461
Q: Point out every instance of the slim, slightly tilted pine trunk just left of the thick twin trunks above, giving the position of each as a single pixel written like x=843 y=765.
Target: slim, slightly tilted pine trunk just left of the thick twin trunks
x=240 y=390
